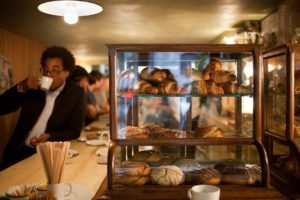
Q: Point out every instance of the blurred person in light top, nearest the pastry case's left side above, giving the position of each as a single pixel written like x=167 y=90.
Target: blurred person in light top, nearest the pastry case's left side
x=101 y=90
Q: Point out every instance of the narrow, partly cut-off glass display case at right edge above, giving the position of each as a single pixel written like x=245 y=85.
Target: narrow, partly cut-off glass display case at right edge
x=282 y=127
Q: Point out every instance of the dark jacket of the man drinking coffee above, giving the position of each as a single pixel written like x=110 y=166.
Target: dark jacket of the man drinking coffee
x=65 y=122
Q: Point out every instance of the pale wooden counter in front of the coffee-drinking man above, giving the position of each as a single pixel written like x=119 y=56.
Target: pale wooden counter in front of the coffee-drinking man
x=82 y=169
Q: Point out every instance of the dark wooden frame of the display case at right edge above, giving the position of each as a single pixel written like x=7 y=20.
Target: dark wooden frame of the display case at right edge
x=286 y=183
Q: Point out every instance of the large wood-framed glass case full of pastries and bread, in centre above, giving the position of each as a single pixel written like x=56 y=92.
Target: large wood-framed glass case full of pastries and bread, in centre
x=184 y=115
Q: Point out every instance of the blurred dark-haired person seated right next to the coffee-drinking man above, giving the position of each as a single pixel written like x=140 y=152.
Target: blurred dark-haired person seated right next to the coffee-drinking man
x=82 y=78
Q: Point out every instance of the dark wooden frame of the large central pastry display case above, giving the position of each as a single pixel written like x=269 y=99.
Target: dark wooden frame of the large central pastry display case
x=256 y=140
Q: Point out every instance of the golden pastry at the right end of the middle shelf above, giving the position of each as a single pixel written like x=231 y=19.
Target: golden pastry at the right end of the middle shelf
x=209 y=132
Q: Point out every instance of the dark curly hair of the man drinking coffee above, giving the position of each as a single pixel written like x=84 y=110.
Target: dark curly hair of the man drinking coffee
x=59 y=52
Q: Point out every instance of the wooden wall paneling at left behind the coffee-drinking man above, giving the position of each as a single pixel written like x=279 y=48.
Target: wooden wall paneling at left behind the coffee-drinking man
x=24 y=55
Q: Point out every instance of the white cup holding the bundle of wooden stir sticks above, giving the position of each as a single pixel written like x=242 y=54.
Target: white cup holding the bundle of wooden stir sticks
x=60 y=191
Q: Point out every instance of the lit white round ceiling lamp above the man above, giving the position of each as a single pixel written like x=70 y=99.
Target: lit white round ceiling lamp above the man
x=70 y=10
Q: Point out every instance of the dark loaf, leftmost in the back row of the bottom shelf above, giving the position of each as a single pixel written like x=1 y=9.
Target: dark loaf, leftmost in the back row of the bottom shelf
x=148 y=156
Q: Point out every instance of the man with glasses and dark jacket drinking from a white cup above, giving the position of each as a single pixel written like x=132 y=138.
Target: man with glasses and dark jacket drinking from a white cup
x=53 y=115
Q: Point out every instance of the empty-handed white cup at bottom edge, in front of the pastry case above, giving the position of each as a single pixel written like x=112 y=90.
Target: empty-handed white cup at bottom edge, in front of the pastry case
x=204 y=192
